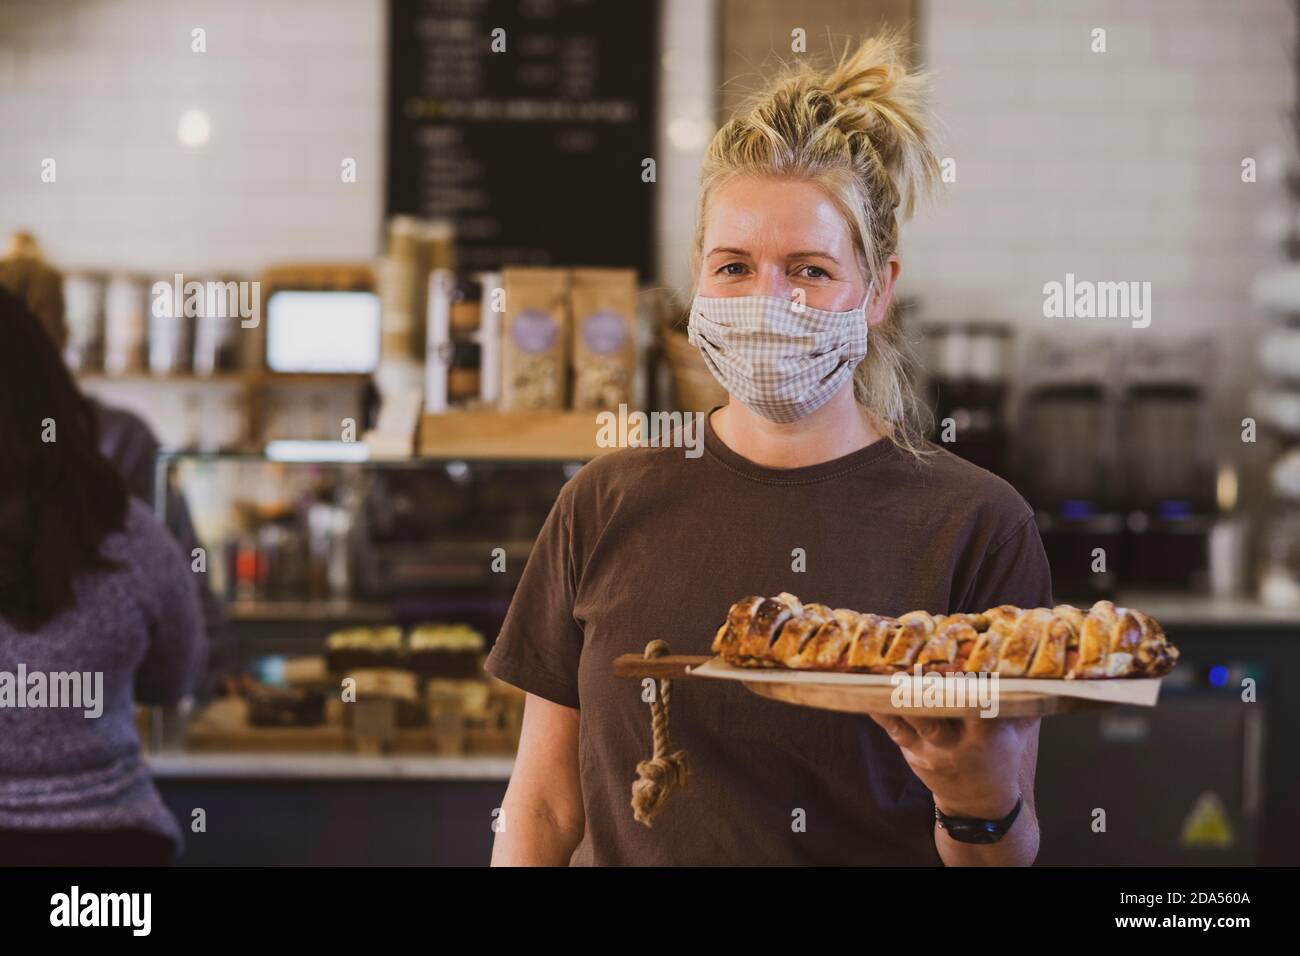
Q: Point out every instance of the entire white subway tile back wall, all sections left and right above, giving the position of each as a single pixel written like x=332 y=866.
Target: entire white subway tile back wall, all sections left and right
x=1117 y=165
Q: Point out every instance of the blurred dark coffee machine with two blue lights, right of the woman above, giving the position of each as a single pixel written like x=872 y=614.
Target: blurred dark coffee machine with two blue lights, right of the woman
x=1116 y=460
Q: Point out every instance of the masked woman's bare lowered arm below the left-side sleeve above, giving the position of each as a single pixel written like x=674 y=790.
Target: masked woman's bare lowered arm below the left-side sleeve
x=543 y=817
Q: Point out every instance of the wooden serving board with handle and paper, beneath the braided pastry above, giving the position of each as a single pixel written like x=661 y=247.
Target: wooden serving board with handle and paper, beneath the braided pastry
x=869 y=694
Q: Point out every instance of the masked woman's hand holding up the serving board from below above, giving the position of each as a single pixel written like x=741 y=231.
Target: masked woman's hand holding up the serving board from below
x=972 y=765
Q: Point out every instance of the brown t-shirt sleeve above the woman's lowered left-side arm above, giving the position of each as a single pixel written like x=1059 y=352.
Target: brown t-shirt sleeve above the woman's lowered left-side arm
x=540 y=642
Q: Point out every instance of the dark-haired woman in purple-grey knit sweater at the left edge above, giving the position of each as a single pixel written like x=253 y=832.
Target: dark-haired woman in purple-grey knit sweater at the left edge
x=90 y=586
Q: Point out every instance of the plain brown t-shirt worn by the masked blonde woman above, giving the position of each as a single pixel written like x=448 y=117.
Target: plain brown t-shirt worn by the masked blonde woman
x=648 y=543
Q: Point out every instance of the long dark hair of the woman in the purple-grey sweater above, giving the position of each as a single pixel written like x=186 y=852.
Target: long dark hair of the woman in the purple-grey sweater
x=59 y=499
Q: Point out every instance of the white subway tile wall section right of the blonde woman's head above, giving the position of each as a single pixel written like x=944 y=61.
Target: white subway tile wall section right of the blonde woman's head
x=1116 y=166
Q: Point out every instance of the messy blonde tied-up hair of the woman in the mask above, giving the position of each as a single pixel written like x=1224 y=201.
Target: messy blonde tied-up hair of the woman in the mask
x=860 y=131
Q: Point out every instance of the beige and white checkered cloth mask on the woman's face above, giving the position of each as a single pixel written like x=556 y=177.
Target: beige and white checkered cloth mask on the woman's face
x=779 y=358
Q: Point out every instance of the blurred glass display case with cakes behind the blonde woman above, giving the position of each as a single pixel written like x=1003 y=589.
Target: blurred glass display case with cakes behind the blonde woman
x=358 y=602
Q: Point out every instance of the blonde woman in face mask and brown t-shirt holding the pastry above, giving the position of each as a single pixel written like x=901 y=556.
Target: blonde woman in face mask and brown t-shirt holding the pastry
x=814 y=481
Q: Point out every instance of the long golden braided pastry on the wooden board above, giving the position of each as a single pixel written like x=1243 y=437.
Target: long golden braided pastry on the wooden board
x=1063 y=642
